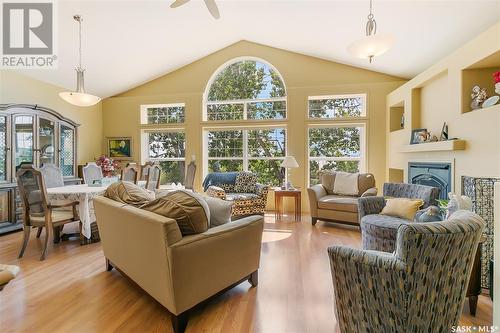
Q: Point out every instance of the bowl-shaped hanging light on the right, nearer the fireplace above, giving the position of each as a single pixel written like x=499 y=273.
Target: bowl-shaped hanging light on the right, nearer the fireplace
x=373 y=44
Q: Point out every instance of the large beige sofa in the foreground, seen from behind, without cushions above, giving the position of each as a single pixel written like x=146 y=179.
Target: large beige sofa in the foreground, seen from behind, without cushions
x=179 y=272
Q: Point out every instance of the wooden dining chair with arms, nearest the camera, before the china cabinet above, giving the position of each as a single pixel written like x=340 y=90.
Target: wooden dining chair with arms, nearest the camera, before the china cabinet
x=37 y=210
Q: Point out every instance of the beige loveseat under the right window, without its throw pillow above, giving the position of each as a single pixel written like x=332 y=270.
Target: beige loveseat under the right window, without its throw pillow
x=327 y=206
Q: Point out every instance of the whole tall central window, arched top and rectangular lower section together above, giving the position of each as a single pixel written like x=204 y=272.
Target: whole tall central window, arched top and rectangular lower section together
x=246 y=90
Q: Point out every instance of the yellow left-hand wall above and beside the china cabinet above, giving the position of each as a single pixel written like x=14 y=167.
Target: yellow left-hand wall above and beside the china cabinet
x=17 y=88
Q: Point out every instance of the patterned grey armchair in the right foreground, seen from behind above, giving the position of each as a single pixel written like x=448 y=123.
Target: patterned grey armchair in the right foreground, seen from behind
x=419 y=288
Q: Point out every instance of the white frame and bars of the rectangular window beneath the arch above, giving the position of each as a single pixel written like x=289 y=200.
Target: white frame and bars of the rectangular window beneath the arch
x=245 y=158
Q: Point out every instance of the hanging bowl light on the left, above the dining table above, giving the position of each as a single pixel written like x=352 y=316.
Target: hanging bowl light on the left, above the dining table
x=79 y=97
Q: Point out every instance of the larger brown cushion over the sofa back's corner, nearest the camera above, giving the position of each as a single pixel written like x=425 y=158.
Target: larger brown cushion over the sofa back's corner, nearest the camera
x=190 y=210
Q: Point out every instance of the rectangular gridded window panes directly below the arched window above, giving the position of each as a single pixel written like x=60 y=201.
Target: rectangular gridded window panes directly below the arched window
x=258 y=150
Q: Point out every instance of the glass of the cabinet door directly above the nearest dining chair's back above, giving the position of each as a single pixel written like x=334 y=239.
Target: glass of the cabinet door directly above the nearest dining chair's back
x=23 y=140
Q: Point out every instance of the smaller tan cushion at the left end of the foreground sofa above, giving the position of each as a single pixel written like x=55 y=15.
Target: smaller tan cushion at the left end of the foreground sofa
x=129 y=193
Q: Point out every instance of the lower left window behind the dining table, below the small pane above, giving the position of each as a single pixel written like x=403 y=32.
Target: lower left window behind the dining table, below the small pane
x=169 y=149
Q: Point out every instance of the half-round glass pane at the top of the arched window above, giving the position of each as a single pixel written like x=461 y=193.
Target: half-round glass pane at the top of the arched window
x=247 y=79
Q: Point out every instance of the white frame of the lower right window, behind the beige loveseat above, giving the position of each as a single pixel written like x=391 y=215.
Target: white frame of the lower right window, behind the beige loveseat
x=362 y=147
